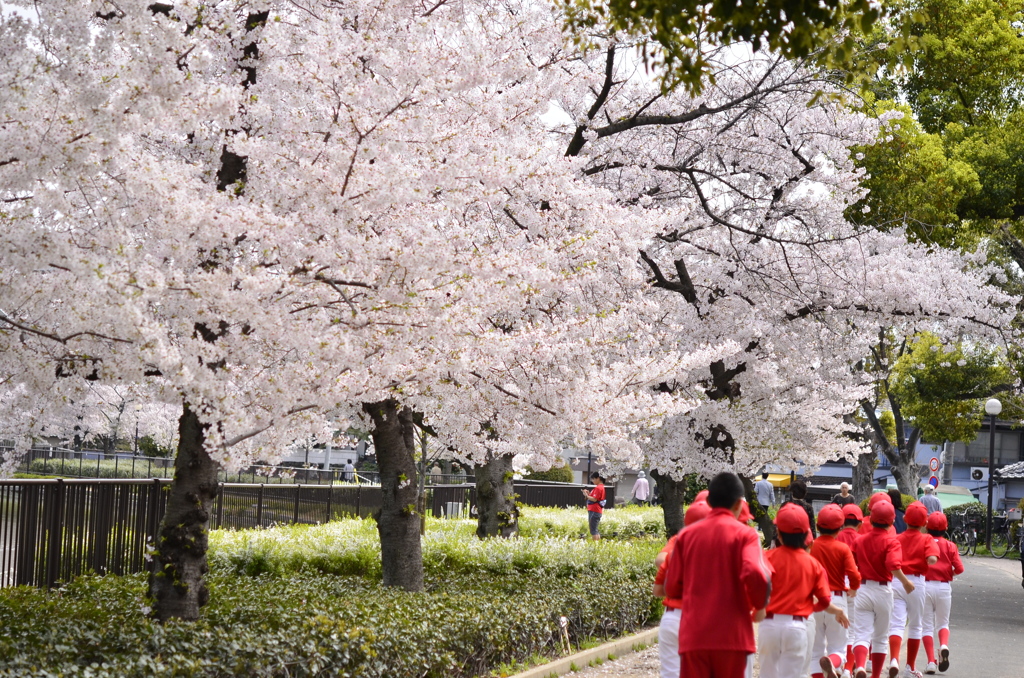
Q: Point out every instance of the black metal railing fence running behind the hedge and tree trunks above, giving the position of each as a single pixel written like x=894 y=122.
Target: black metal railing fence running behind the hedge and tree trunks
x=55 y=530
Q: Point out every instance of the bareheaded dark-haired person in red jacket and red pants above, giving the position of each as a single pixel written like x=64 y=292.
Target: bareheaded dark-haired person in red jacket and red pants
x=718 y=572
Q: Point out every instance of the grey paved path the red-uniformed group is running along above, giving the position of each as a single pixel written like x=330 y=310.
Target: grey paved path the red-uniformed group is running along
x=987 y=629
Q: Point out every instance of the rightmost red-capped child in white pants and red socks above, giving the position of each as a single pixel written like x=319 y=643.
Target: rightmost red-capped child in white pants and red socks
x=938 y=592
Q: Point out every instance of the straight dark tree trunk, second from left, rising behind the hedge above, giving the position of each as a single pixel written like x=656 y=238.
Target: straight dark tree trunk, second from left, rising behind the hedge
x=398 y=521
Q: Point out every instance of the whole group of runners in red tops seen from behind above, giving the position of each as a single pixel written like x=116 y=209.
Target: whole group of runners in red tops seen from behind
x=831 y=607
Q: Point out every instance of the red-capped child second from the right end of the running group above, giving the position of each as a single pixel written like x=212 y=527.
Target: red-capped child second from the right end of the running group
x=920 y=552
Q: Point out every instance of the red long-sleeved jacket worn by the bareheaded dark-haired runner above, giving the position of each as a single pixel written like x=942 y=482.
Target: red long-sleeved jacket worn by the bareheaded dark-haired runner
x=718 y=571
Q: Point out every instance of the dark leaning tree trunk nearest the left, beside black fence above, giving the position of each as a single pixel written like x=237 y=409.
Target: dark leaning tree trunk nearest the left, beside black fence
x=178 y=584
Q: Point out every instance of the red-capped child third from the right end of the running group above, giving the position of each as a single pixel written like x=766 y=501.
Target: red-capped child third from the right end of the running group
x=879 y=559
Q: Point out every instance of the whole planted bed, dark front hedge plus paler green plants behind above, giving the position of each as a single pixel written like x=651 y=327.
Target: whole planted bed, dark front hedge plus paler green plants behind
x=307 y=601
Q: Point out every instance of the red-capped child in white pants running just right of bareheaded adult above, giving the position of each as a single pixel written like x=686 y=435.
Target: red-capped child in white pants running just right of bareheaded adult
x=800 y=588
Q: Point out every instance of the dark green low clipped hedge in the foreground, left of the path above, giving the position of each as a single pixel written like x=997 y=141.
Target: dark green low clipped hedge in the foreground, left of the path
x=315 y=625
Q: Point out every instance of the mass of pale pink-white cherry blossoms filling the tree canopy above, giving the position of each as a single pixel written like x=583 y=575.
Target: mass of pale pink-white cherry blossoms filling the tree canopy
x=411 y=228
